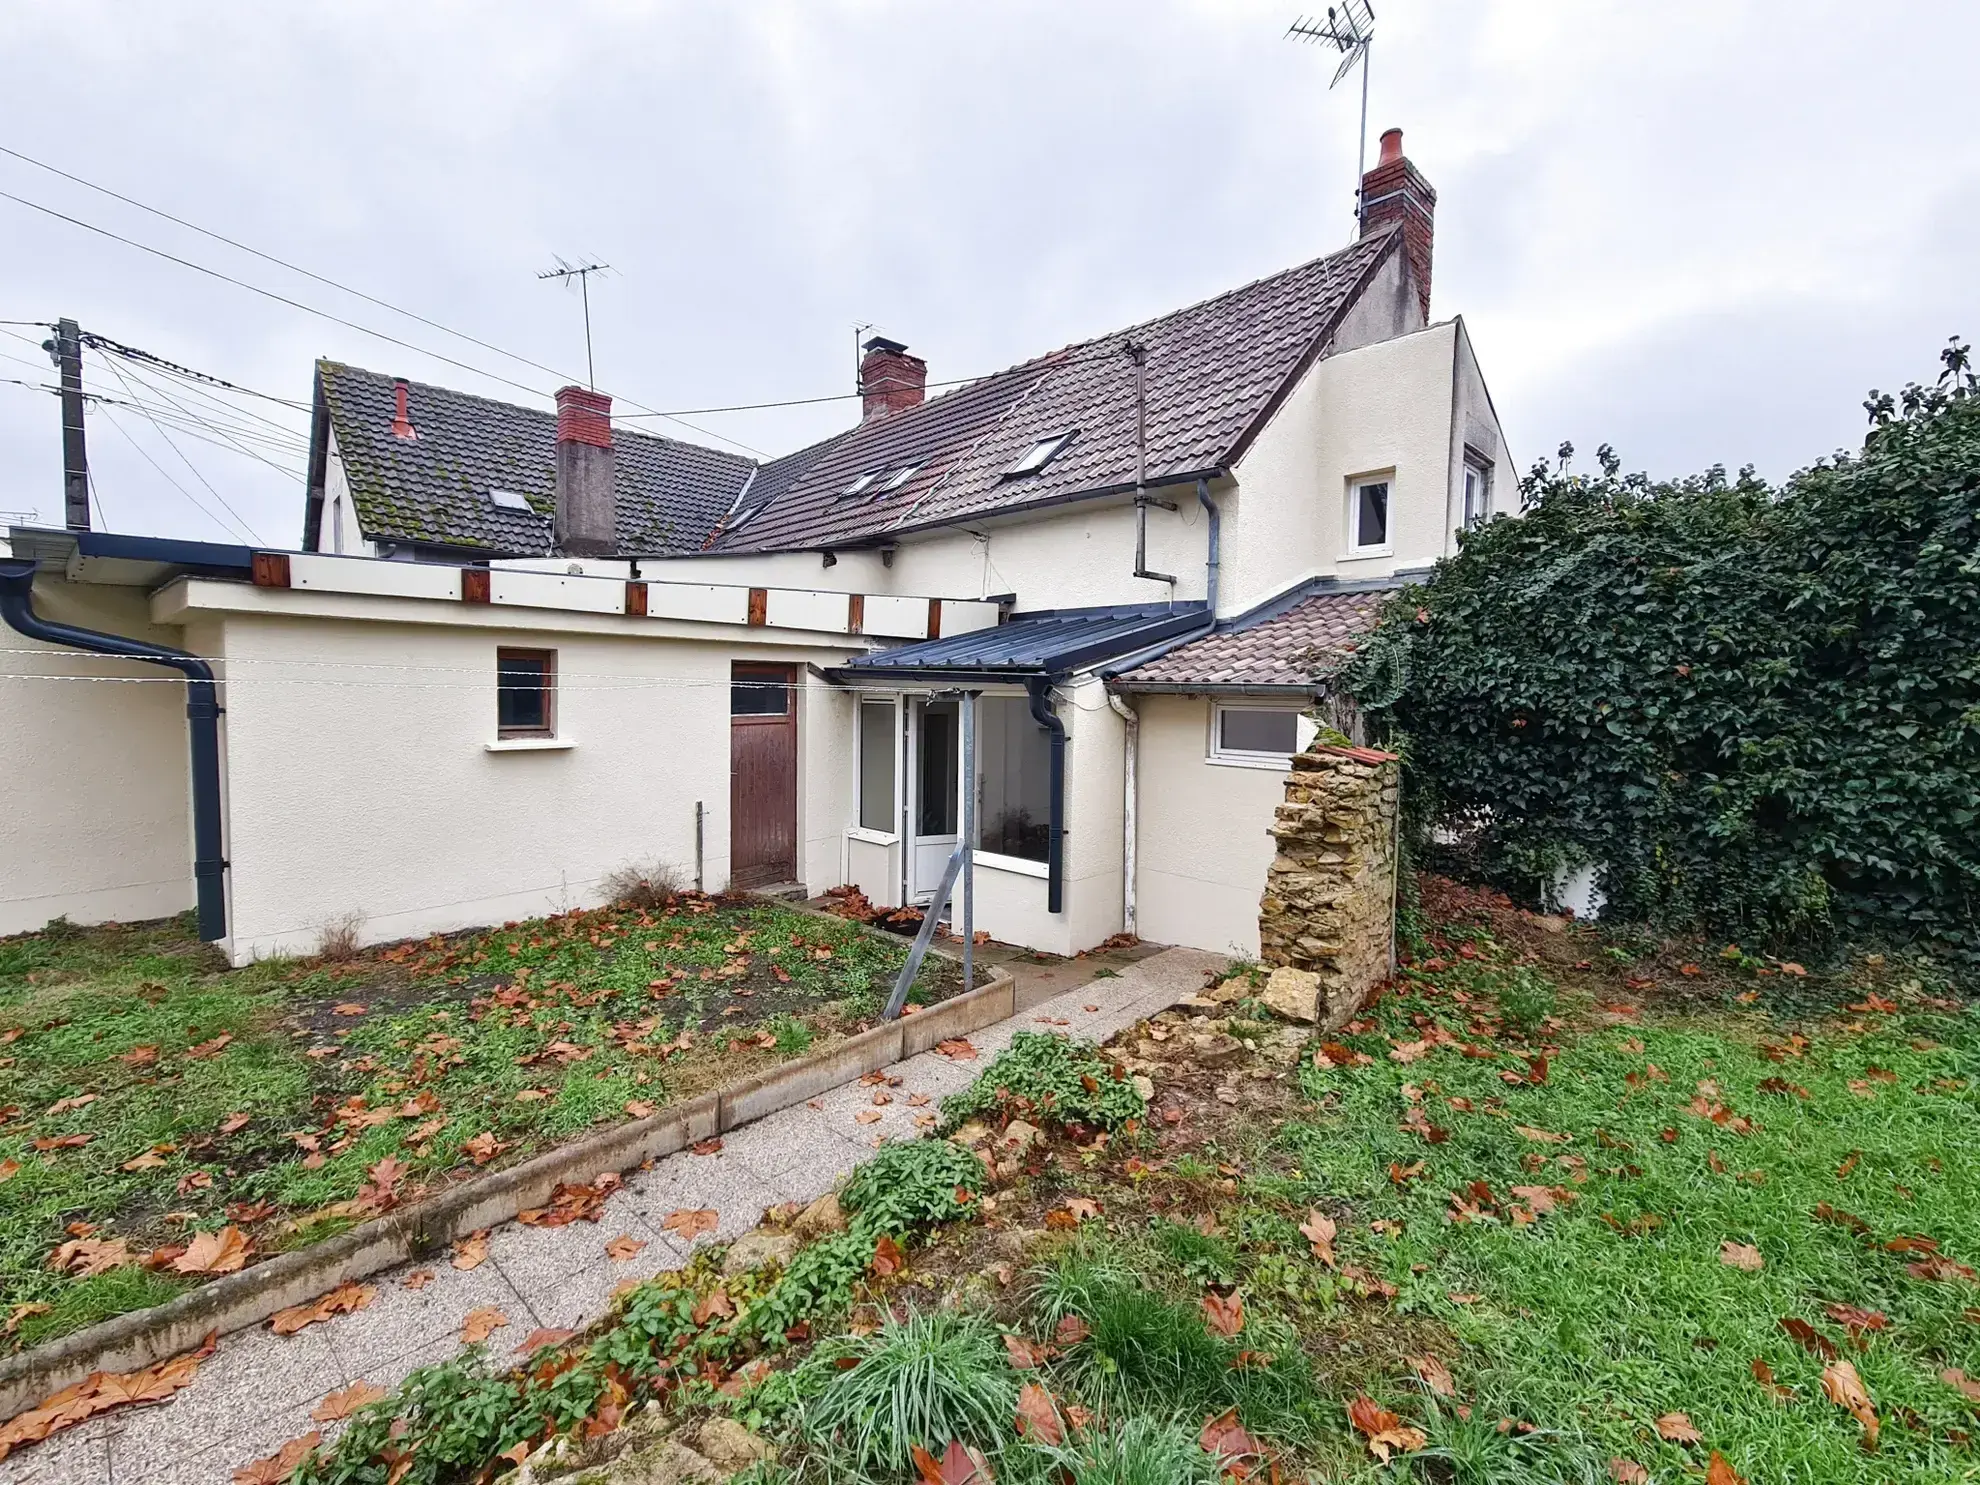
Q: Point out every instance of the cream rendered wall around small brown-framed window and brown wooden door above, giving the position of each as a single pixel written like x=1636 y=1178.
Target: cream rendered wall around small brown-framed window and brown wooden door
x=361 y=781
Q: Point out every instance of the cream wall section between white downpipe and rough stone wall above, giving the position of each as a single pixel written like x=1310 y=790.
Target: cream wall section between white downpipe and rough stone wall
x=1203 y=835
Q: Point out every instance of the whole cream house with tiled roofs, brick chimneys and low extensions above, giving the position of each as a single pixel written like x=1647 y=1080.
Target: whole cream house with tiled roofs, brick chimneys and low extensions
x=520 y=648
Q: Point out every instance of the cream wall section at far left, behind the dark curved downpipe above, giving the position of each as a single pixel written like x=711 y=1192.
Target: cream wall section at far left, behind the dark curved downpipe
x=94 y=771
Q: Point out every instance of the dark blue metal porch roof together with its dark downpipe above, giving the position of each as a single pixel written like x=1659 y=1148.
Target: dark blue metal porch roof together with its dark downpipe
x=1037 y=652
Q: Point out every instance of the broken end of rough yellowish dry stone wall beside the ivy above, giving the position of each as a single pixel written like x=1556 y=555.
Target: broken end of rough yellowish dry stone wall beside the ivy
x=1330 y=910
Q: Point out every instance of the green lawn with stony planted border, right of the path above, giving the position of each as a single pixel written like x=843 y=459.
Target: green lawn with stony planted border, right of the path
x=1561 y=1207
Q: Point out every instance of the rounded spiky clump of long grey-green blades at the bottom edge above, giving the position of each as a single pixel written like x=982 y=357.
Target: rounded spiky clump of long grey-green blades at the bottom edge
x=926 y=1379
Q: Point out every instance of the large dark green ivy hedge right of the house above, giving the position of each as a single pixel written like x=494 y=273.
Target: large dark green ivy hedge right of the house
x=1755 y=710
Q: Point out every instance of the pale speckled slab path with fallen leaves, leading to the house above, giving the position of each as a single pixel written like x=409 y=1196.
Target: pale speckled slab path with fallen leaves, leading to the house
x=260 y=1389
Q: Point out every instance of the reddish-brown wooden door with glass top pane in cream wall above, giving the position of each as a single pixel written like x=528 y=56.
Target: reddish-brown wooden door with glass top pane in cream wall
x=763 y=775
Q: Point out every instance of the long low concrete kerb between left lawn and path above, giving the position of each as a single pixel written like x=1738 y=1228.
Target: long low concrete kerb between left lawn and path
x=252 y=1296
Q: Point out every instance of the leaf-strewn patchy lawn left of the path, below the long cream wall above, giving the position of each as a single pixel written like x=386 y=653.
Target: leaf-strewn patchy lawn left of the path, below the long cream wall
x=149 y=1094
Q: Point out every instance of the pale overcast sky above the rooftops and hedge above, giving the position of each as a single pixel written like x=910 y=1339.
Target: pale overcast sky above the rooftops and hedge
x=1694 y=229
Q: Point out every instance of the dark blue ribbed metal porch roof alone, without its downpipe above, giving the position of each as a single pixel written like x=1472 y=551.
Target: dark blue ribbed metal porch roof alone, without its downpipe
x=1050 y=643
